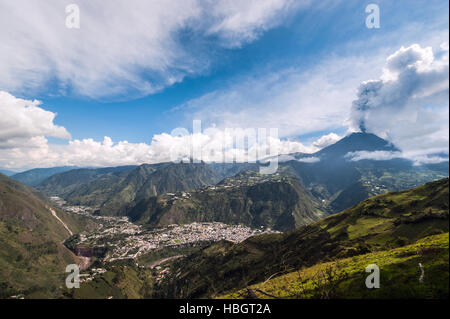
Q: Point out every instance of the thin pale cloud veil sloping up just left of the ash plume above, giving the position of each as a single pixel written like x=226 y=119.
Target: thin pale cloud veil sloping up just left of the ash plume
x=306 y=97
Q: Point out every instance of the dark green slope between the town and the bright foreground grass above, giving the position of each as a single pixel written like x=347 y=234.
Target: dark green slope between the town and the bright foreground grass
x=383 y=222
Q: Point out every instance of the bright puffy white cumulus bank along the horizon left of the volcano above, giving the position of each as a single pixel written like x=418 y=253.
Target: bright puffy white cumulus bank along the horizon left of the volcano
x=25 y=126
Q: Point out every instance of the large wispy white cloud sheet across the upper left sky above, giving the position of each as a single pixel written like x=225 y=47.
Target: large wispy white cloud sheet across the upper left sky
x=133 y=48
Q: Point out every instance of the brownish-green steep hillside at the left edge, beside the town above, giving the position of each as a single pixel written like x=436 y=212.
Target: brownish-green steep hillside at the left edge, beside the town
x=32 y=257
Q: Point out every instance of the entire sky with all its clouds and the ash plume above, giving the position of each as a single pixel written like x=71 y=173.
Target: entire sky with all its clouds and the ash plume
x=112 y=91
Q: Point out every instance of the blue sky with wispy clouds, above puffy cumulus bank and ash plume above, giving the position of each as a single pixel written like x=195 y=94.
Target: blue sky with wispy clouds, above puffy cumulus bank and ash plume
x=214 y=70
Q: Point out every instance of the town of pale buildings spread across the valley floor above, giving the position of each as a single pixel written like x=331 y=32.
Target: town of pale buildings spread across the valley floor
x=116 y=238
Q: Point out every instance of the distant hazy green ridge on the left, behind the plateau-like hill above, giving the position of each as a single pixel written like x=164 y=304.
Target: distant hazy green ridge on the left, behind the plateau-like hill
x=112 y=190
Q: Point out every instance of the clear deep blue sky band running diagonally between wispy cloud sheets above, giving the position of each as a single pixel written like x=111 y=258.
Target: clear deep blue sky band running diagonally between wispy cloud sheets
x=301 y=41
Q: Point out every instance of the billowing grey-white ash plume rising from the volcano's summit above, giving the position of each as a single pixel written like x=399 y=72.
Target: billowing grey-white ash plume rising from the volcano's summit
x=413 y=79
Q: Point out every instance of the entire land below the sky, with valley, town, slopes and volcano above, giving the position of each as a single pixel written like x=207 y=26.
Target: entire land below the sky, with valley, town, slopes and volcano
x=214 y=230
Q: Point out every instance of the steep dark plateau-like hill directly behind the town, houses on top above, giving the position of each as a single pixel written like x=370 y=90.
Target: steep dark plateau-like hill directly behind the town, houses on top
x=270 y=201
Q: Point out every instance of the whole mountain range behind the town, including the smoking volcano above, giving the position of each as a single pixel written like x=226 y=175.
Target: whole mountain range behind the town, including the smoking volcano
x=329 y=184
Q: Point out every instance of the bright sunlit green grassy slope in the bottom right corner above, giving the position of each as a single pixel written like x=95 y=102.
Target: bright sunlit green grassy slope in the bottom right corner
x=345 y=278
